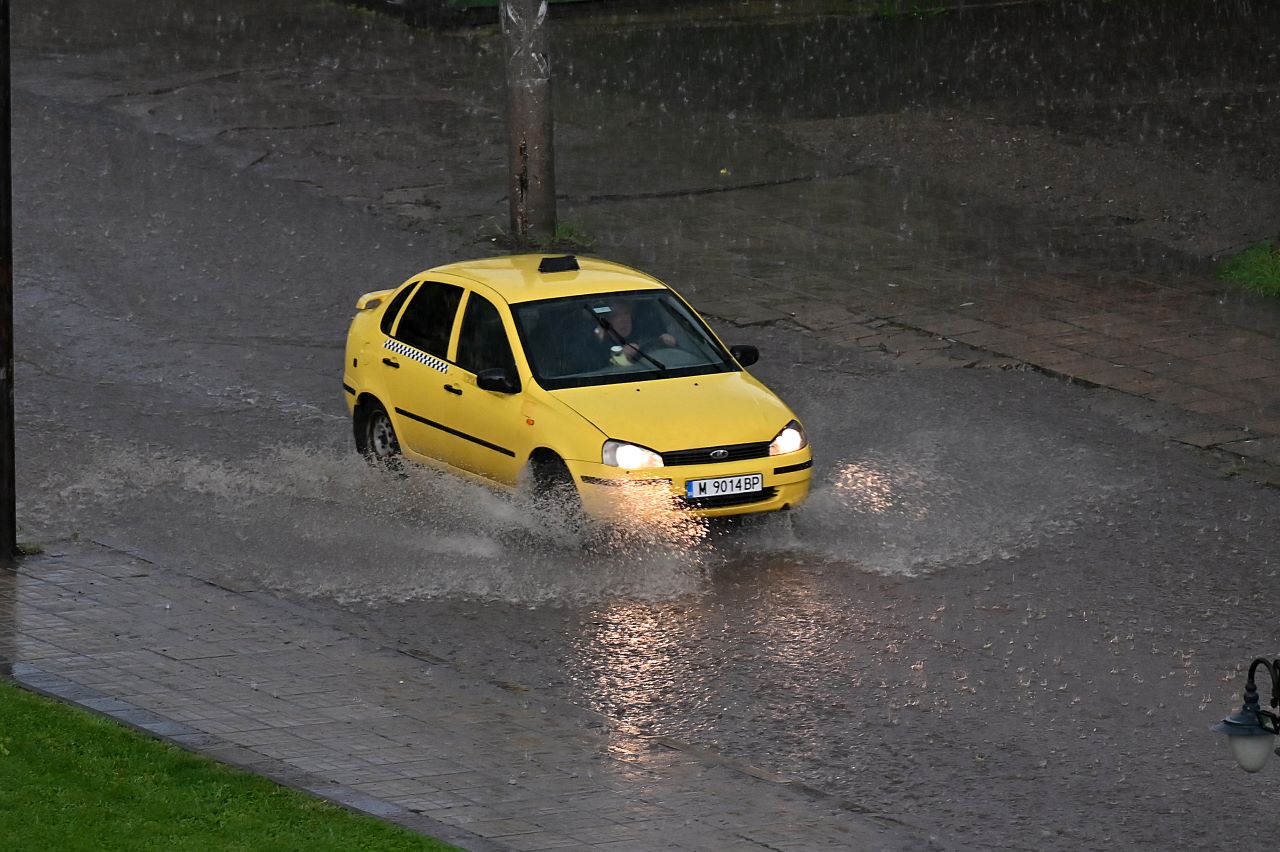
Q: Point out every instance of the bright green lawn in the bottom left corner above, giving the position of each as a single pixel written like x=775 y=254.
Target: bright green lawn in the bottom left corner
x=74 y=781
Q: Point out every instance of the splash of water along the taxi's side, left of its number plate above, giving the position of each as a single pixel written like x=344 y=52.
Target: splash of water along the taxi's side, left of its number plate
x=324 y=523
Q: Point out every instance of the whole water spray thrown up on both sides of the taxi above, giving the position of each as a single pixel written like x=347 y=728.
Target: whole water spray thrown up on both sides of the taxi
x=323 y=523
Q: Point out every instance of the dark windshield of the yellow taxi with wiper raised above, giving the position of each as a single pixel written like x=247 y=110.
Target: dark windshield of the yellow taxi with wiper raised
x=609 y=338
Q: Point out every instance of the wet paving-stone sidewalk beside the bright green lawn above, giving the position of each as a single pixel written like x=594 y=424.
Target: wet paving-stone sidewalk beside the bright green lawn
x=244 y=679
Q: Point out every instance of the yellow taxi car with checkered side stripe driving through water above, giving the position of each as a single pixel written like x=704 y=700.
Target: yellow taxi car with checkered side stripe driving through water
x=574 y=375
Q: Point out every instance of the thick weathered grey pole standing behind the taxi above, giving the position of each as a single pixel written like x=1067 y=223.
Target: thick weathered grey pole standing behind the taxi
x=531 y=154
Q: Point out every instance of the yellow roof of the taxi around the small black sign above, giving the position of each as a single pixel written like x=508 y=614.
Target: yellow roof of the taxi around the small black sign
x=516 y=278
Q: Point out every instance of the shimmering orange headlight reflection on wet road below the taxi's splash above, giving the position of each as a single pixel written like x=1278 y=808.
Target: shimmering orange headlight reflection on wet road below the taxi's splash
x=688 y=667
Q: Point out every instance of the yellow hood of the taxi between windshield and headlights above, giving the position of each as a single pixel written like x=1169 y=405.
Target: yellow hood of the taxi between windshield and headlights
x=683 y=414
